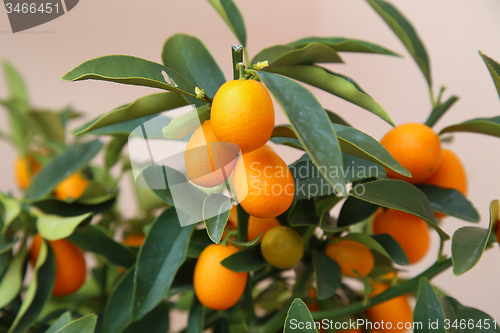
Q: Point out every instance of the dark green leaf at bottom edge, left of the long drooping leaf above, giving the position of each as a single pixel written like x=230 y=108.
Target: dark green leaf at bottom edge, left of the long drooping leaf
x=116 y=315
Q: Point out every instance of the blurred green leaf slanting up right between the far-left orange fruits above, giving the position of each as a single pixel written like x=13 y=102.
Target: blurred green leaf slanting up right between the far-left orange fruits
x=61 y=167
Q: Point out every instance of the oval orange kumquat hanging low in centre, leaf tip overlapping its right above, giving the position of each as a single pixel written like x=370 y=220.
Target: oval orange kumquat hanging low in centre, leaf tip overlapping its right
x=217 y=287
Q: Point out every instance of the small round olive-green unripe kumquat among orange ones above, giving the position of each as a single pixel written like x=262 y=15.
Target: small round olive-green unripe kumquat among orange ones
x=282 y=247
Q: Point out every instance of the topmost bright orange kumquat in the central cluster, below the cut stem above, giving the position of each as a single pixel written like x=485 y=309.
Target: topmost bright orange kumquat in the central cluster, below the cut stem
x=243 y=113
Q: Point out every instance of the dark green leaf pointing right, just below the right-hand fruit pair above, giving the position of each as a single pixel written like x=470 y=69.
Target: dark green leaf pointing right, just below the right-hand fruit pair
x=450 y=202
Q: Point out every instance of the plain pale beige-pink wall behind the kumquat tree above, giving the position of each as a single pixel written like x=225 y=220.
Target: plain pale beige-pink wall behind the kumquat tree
x=453 y=32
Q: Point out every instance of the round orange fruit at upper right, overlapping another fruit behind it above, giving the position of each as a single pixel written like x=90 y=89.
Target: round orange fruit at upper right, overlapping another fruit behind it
x=416 y=147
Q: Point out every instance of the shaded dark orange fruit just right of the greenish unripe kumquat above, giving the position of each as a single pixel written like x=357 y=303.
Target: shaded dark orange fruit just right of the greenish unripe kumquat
x=351 y=255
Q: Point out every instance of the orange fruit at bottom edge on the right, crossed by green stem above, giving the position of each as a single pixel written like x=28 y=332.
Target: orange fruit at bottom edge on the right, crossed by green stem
x=393 y=311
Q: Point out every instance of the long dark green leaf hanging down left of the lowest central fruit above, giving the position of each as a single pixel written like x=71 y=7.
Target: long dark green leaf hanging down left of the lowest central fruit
x=161 y=255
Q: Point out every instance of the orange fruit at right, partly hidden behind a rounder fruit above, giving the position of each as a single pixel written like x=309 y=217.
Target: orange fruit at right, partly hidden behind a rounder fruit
x=449 y=174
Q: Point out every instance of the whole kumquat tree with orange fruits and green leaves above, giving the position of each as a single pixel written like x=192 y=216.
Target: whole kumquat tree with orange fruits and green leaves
x=226 y=231
